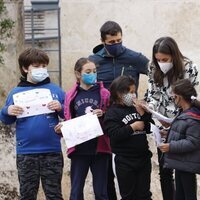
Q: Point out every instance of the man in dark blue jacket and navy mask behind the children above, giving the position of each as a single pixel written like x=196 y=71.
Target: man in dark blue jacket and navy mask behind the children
x=112 y=60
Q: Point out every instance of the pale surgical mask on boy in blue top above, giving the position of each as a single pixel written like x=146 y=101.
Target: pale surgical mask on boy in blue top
x=39 y=74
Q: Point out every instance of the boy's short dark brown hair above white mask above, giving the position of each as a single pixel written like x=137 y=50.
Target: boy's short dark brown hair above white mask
x=31 y=56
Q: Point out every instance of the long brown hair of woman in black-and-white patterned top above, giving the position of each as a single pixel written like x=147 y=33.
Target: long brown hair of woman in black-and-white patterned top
x=168 y=45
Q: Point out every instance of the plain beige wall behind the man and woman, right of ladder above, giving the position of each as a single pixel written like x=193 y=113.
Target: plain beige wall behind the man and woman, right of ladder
x=142 y=21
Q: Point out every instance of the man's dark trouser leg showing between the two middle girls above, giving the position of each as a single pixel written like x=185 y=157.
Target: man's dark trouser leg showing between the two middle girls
x=111 y=184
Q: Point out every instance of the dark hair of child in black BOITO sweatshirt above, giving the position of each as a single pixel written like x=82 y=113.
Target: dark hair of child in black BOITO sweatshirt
x=120 y=85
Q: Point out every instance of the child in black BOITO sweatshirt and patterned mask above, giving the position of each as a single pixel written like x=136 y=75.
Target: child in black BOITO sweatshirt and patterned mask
x=127 y=124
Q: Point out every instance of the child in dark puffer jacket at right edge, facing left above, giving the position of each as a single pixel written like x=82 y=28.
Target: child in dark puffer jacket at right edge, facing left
x=182 y=148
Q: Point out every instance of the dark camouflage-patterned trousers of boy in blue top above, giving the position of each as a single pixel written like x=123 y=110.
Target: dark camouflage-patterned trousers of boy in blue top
x=48 y=167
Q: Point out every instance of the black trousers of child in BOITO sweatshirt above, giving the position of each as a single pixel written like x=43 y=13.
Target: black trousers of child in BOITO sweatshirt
x=133 y=178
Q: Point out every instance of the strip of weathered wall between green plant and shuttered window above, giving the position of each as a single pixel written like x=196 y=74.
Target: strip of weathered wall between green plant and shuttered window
x=9 y=72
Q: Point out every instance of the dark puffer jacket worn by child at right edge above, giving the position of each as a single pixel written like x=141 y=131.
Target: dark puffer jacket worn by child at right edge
x=184 y=139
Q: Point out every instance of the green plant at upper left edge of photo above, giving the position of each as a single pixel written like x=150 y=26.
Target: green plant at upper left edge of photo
x=6 y=26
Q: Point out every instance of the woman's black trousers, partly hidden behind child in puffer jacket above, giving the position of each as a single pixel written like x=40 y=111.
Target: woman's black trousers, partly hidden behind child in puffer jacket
x=166 y=179
